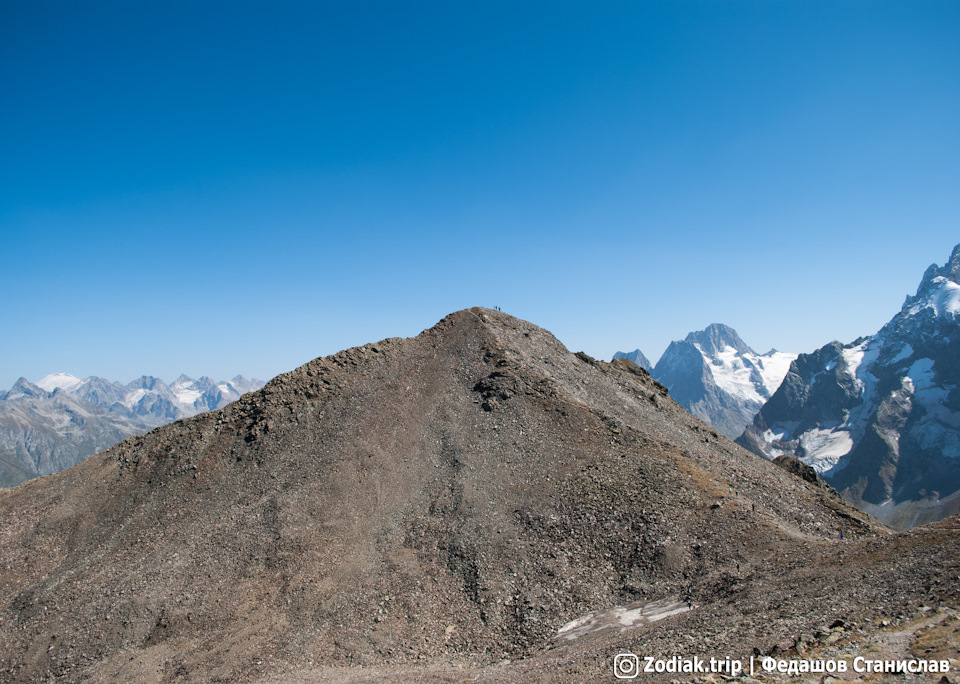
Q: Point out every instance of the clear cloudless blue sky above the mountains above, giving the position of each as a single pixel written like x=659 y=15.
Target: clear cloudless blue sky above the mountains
x=239 y=187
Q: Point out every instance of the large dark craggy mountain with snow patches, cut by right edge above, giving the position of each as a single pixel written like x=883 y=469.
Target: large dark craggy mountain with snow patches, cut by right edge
x=879 y=418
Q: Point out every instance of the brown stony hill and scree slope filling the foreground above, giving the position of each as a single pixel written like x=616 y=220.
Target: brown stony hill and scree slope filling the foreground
x=437 y=509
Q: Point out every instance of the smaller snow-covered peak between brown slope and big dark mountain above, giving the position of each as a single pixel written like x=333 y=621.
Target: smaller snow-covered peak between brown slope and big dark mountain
x=718 y=378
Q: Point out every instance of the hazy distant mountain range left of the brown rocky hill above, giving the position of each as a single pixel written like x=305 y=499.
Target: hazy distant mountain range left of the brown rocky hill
x=61 y=419
